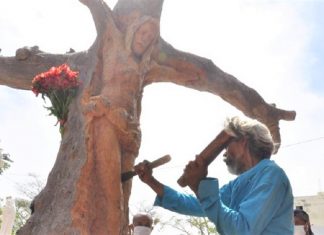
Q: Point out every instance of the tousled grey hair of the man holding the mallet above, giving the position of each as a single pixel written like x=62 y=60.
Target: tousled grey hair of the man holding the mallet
x=258 y=136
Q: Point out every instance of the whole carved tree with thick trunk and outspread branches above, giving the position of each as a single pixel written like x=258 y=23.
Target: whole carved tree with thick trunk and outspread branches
x=84 y=194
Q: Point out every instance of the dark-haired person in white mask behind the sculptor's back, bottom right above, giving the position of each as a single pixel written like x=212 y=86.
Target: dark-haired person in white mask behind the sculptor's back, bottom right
x=302 y=222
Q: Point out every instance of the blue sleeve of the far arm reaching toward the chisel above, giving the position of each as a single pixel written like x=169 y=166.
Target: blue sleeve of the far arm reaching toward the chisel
x=179 y=202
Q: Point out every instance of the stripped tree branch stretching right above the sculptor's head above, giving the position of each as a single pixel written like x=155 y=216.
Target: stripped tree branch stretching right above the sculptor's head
x=171 y=65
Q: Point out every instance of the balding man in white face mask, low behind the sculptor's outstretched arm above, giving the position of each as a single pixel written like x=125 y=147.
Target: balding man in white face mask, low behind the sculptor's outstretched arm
x=142 y=224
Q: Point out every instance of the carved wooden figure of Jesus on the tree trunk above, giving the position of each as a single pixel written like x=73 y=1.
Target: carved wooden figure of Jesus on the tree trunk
x=113 y=115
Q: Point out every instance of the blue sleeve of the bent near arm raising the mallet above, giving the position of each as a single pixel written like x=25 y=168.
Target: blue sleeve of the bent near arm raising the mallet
x=254 y=213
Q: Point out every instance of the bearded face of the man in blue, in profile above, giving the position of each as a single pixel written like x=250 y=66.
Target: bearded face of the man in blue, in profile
x=233 y=157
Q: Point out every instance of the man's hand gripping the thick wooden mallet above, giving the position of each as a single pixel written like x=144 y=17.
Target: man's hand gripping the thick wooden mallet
x=195 y=171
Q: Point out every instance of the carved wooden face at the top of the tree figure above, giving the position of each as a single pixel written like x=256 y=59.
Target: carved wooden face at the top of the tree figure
x=143 y=37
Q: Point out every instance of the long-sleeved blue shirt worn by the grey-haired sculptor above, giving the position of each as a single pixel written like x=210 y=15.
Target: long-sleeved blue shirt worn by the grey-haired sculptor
x=259 y=201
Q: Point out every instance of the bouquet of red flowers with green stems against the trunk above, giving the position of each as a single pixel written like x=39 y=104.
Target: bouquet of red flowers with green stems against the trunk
x=59 y=85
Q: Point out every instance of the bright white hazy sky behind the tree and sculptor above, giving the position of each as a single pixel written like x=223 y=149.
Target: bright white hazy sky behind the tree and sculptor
x=275 y=47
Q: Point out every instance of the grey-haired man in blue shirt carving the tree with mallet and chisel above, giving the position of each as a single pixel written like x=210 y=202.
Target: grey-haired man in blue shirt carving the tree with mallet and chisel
x=258 y=201
